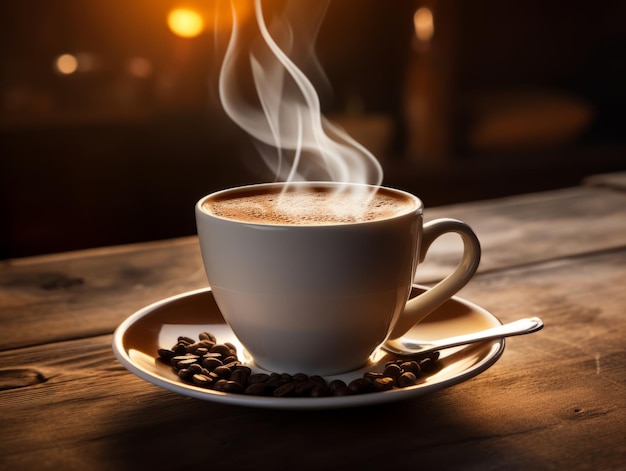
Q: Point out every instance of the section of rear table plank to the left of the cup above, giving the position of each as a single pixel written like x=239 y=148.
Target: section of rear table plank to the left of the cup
x=88 y=293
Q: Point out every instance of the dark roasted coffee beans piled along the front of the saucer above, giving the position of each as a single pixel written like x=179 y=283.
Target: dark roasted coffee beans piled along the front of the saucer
x=212 y=365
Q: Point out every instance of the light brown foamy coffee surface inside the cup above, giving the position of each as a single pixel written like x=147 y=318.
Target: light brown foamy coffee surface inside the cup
x=308 y=207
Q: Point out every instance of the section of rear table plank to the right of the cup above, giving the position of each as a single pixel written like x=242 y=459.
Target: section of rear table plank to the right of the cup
x=531 y=228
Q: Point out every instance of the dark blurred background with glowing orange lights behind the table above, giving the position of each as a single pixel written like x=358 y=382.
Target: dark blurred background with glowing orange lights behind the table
x=111 y=128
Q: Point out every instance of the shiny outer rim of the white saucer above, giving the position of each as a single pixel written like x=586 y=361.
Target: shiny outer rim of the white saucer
x=496 y=349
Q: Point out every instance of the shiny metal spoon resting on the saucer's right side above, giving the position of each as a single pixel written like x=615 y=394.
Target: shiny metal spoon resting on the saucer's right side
x=406 y=346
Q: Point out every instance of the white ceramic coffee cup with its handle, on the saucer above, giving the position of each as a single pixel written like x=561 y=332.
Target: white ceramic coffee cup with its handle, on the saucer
x=320 y=298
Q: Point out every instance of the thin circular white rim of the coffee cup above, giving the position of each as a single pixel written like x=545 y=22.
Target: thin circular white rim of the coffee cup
x=417 y=209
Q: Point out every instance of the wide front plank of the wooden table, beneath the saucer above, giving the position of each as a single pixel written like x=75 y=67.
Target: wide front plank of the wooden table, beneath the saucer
x=555 y=400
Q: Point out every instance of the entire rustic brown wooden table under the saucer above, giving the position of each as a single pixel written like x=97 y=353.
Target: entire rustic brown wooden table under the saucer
x=556 y=399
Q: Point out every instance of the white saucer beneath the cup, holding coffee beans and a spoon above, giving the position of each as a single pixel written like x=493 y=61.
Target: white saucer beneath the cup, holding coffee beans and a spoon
x=137 y=339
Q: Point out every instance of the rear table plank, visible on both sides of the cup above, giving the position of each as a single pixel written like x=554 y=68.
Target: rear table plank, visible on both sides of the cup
x=48 y=298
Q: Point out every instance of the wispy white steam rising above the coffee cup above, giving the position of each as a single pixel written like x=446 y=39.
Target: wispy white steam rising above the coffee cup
x=295 y=140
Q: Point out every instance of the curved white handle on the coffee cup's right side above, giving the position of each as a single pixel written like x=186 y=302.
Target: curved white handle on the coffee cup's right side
x=418 y=308
